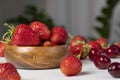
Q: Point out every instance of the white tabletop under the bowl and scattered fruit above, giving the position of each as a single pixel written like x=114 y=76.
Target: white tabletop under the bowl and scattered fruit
x=89 y=72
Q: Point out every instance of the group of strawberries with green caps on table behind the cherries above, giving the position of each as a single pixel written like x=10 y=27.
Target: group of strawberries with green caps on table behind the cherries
x=79 y=46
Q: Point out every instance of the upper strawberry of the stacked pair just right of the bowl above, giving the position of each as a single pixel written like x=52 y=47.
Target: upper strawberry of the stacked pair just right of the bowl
x=77 y=40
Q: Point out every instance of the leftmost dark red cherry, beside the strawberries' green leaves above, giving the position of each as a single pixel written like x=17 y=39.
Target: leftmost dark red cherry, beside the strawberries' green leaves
x=93 y=53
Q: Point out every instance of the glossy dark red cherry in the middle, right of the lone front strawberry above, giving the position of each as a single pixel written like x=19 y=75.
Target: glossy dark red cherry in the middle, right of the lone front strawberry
x=102 y=62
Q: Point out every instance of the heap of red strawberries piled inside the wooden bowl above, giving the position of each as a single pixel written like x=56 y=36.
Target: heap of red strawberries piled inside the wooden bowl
x=35 y=34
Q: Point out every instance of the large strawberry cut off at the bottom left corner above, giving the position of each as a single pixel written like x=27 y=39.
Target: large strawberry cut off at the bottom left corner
x=8 y=72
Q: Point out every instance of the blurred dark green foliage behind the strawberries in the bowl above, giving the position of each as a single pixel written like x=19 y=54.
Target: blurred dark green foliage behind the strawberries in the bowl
x=31 y=13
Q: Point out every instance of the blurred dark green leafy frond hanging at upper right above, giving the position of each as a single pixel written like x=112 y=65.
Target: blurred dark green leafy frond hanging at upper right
x=105 y=19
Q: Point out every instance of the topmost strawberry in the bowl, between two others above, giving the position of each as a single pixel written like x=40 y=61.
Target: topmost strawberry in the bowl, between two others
x=41 y=29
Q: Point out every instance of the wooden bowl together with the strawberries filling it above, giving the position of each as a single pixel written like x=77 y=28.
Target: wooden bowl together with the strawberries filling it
x=35 y=46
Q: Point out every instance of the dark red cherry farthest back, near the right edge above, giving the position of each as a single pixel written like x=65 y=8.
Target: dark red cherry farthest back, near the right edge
x=112 y=51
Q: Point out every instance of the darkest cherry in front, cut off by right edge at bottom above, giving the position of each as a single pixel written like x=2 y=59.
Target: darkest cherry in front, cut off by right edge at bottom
x=114 y=69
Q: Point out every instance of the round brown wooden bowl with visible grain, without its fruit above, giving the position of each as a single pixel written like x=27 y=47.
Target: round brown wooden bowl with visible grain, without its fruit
x=27 y=57
